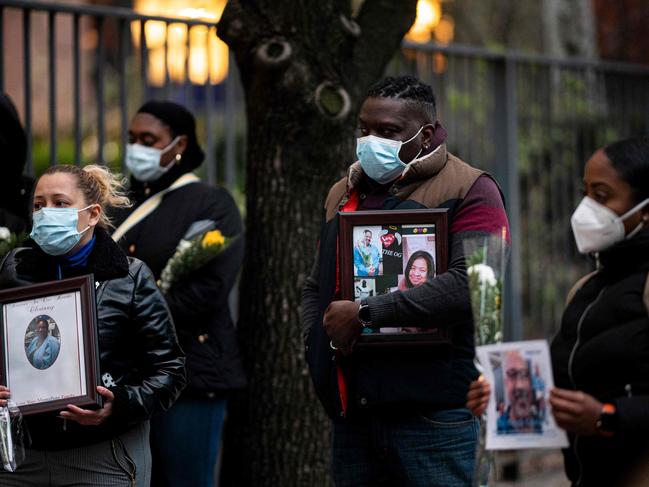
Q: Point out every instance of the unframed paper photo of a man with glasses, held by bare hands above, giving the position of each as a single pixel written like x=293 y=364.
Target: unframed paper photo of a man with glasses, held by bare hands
x=518 y=415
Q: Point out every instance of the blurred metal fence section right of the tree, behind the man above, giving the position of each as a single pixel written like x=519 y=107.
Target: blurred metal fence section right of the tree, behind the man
x=533 y=121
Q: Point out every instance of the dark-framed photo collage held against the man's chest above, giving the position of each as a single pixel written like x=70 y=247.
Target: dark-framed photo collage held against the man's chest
x=385 y=251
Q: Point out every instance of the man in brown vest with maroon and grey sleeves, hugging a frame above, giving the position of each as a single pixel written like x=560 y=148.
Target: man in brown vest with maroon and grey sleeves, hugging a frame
x=398 y=414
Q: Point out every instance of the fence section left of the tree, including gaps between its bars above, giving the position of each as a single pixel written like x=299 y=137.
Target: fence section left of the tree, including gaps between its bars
x=85 y=70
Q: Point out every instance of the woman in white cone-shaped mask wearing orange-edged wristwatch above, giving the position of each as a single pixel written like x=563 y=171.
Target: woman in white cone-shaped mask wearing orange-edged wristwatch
x=600 y=355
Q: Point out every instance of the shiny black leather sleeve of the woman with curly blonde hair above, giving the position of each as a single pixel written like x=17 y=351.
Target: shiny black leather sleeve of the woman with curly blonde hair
x=164 y=376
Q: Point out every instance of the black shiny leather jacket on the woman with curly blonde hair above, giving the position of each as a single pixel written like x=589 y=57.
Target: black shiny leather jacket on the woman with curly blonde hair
x=137 y=341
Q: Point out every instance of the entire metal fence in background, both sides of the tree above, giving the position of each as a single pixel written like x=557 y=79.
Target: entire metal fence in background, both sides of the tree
x=532 y=121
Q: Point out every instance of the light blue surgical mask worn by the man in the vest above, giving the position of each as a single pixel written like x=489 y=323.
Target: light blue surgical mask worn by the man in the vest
x=379 y=157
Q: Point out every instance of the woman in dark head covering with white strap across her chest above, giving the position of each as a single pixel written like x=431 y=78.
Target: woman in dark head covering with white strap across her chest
x=169 y=200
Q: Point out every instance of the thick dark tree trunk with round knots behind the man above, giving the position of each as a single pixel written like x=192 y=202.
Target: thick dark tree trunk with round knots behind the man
x=304 y=66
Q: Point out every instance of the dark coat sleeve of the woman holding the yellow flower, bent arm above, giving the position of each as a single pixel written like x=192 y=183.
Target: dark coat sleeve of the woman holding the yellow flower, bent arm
x=203 y=291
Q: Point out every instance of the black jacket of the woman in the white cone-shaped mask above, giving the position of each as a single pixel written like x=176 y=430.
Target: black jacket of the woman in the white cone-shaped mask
x=607 y=356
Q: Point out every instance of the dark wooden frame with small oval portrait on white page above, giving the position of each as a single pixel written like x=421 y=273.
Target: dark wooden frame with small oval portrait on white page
x=48 y=352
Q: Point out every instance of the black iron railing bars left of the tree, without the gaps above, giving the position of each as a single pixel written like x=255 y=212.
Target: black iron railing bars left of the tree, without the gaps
x=130 y=74
